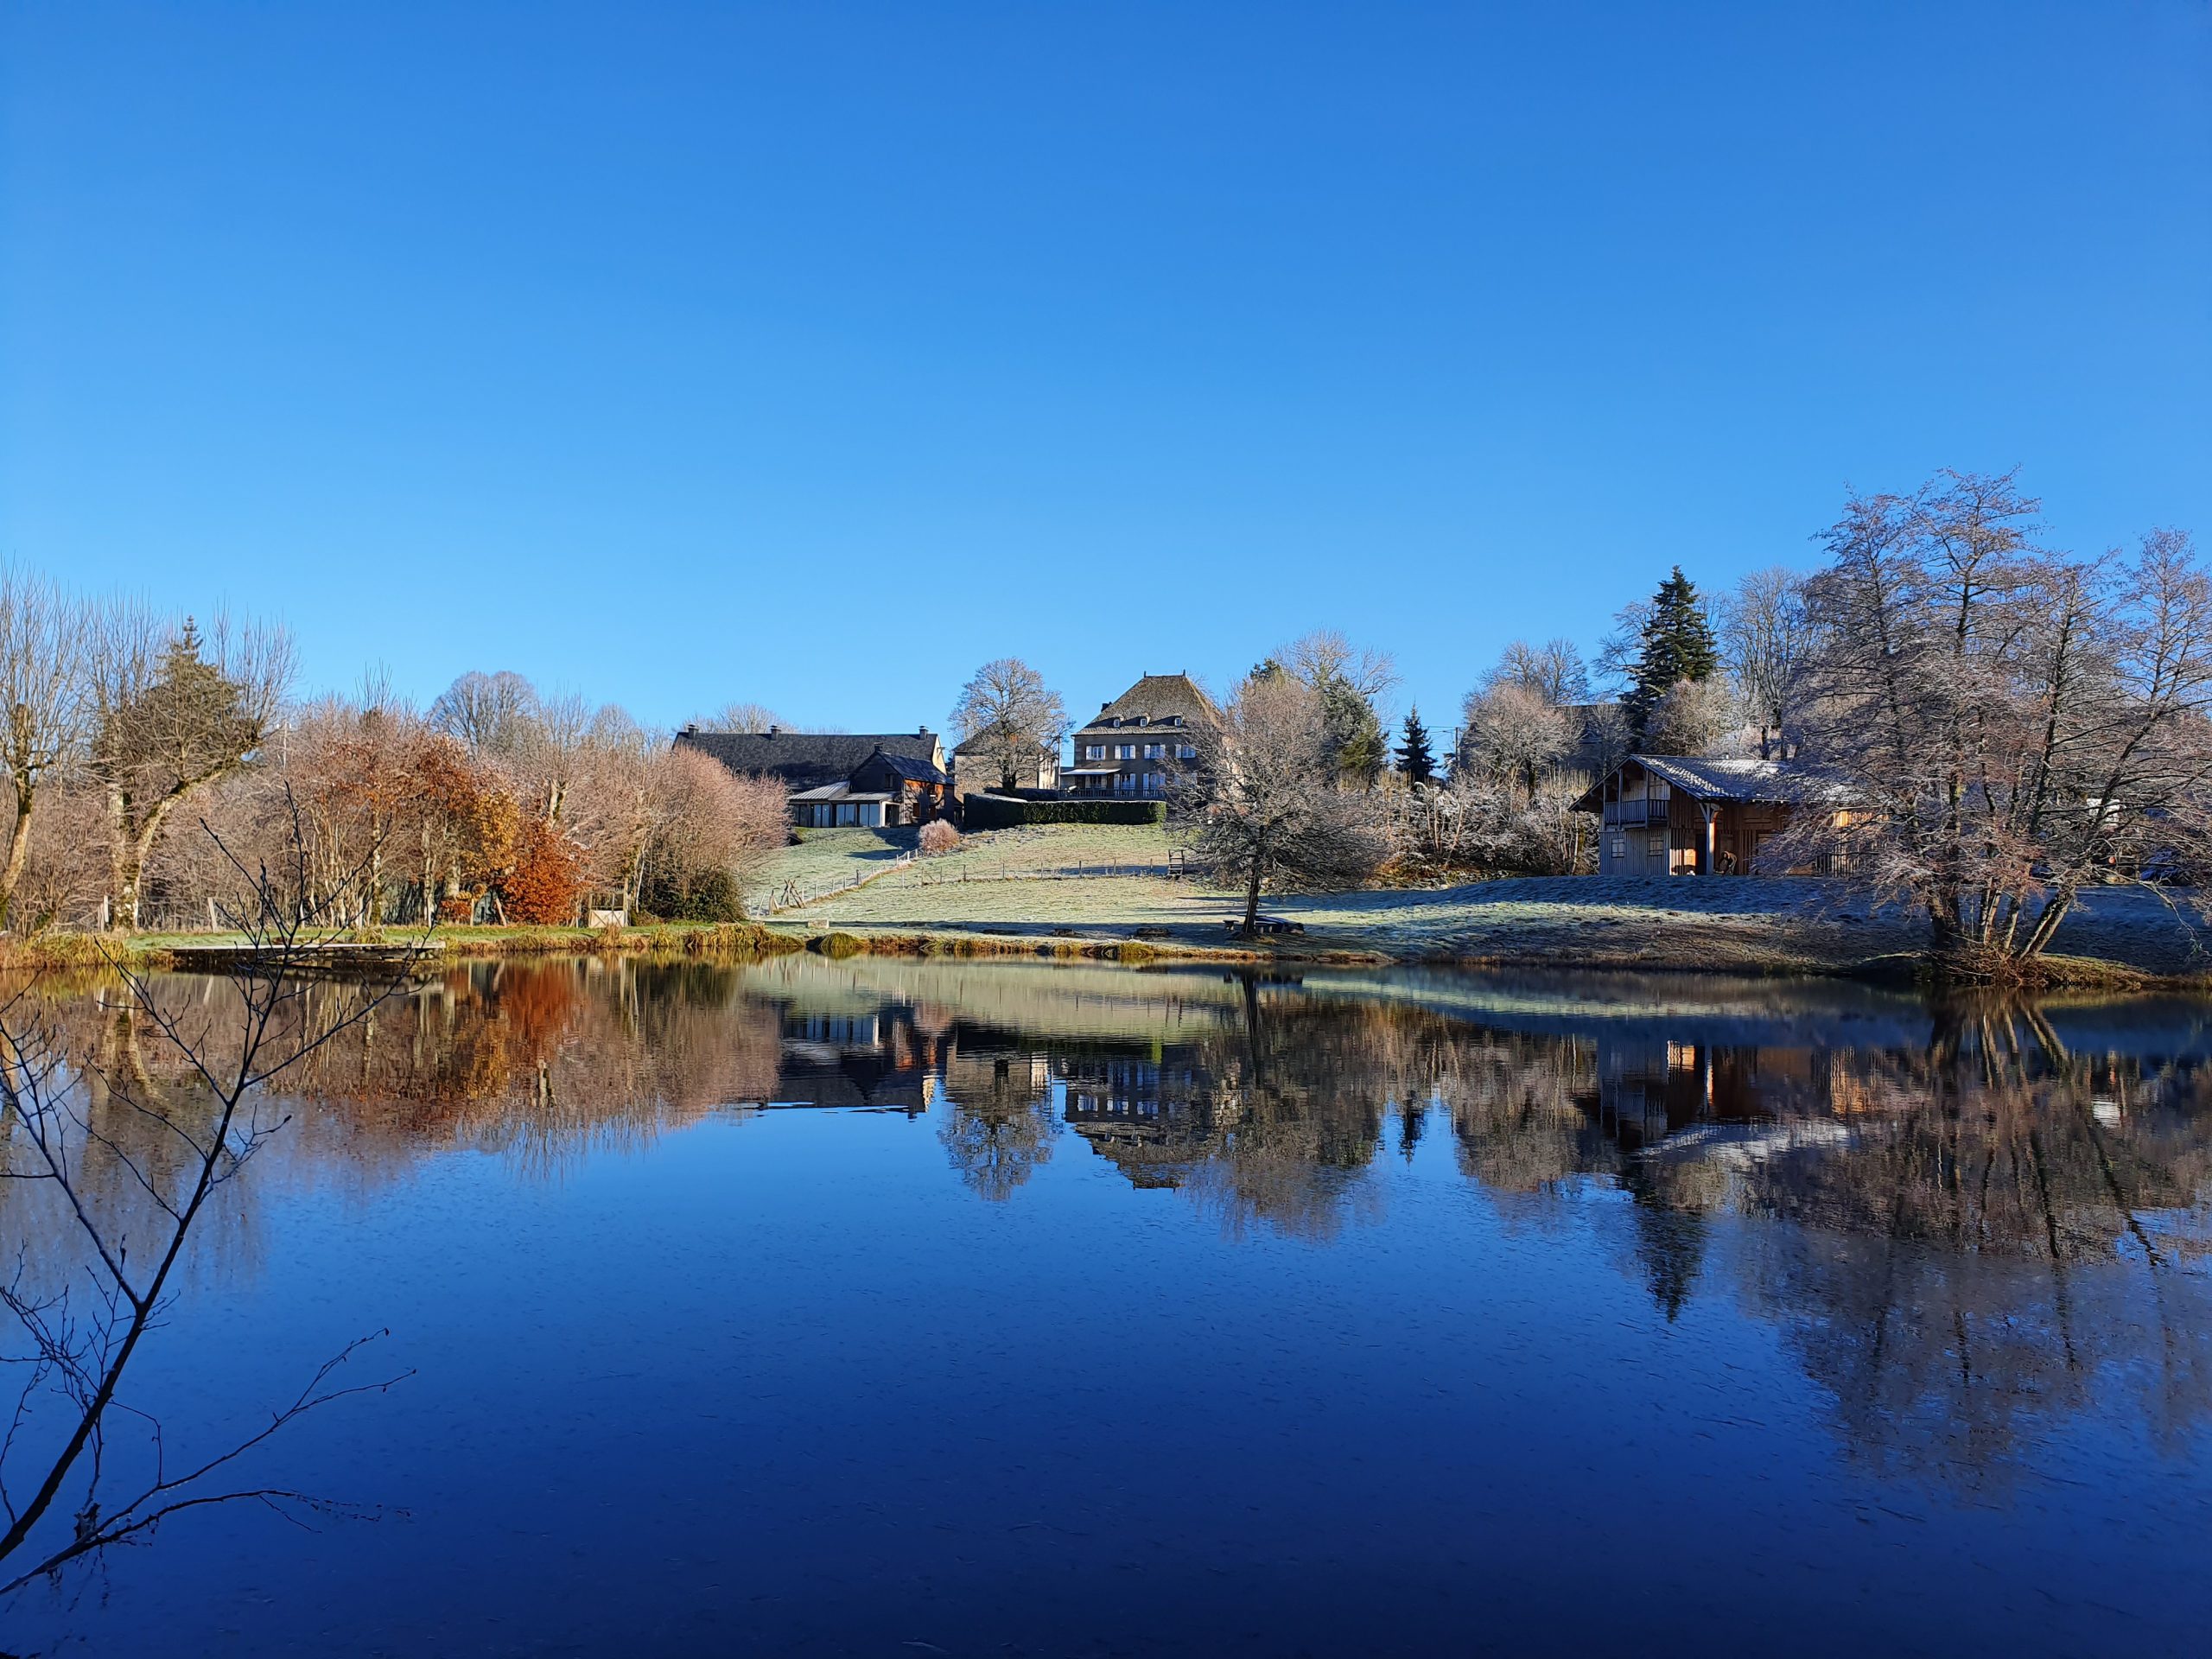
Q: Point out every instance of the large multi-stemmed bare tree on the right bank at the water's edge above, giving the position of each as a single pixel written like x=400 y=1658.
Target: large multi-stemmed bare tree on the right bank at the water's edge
x=2014 y=724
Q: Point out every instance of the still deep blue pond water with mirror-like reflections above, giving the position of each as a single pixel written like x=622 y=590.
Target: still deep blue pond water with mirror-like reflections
x=910 y=1308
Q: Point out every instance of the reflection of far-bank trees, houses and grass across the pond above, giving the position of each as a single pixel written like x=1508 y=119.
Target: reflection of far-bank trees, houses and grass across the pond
x=1970 y=1222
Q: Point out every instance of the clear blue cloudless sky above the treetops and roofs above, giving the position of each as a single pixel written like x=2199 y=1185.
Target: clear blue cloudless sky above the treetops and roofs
x=817 y=353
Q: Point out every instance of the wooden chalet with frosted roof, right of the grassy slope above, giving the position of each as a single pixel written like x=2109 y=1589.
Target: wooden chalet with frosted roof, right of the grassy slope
x=1682 y=815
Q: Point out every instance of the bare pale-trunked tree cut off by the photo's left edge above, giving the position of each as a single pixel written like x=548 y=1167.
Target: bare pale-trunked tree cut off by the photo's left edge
x=41 y=702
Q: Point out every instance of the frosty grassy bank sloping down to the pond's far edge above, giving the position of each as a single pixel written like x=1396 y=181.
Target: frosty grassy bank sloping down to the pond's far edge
x=1112 y=893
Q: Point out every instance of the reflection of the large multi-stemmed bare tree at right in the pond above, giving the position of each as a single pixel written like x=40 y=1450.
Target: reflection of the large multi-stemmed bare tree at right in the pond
x=2003 y=1242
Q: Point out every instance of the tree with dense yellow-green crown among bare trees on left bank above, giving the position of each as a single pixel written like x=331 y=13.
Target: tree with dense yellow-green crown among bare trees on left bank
x=171 y=713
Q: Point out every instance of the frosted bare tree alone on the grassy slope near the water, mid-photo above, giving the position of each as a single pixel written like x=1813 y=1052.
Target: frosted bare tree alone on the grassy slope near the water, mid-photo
x=1260 y=808
